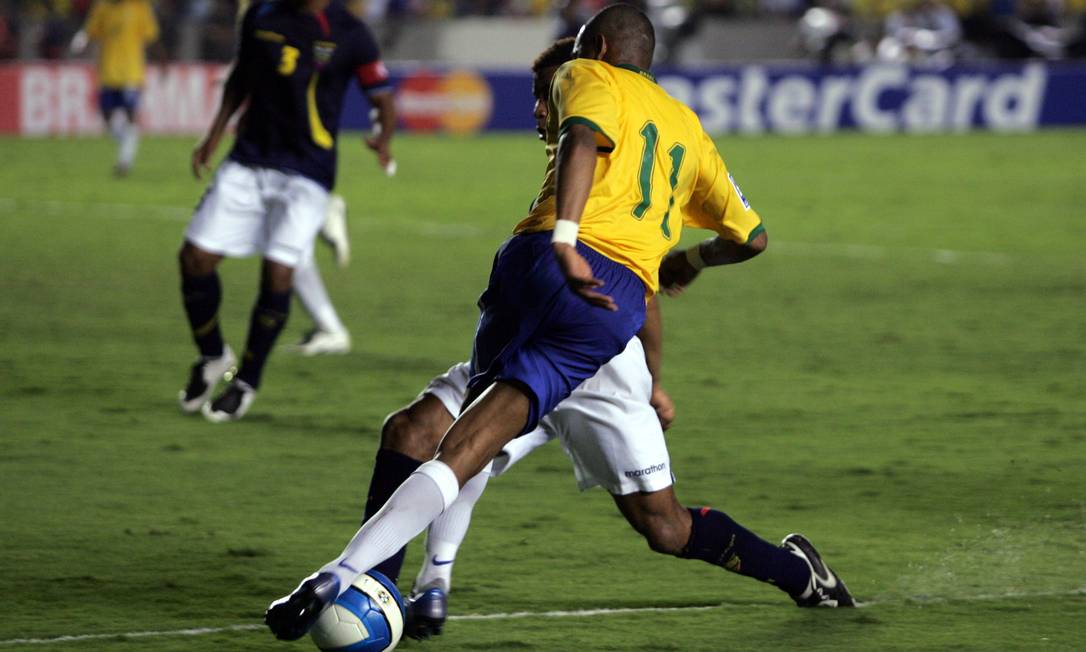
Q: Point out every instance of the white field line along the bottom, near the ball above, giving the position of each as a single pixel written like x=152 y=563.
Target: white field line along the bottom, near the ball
x=515 y=616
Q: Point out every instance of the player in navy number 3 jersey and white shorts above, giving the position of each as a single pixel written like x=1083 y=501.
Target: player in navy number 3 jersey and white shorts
x=296 y=59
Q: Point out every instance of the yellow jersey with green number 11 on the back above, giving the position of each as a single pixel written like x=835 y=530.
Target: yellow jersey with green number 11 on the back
x=658 y=169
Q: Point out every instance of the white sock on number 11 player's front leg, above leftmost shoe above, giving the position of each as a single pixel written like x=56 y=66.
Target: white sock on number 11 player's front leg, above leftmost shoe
x=420 y=500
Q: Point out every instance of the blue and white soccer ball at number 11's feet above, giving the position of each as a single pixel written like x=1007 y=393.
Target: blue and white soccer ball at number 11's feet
x=368 y=618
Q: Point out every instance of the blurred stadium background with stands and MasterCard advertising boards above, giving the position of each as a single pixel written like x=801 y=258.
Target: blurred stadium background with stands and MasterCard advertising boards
x=735 y=62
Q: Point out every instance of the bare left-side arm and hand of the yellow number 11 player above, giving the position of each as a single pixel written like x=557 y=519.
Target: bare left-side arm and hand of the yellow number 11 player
x=576 y=167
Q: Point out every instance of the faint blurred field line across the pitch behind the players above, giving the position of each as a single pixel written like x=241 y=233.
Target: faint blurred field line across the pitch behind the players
x=438 y=230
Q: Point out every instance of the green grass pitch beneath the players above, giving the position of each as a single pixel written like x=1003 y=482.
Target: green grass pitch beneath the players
x=902 y=378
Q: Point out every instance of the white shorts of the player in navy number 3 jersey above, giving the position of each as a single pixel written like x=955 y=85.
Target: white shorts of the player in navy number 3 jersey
x=259 y=210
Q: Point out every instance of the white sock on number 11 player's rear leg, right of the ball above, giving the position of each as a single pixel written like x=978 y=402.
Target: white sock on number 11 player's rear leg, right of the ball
x=446 y=535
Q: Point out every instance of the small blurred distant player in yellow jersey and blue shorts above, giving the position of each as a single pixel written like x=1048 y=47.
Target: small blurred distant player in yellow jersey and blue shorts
x=123 y=30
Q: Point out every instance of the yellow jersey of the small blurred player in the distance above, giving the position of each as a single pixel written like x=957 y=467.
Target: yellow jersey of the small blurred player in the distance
x=123 y=29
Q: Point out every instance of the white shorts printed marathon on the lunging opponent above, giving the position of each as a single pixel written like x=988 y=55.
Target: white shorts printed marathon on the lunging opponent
x=608 y=427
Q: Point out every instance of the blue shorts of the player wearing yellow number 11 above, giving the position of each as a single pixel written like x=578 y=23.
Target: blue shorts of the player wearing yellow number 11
x=537 y=333
